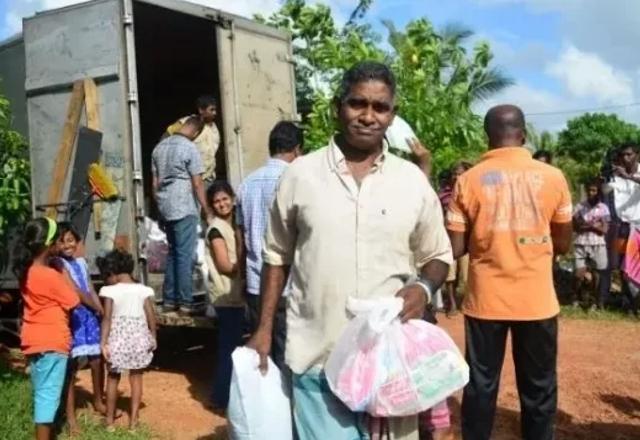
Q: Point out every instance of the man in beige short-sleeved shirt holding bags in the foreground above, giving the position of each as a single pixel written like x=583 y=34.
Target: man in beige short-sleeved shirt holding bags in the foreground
x=349 y=220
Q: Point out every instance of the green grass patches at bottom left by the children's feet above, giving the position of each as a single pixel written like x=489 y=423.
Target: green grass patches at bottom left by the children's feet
x=16 y=413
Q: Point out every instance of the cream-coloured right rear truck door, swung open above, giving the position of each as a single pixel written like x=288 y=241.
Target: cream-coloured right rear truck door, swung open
x=257 y=89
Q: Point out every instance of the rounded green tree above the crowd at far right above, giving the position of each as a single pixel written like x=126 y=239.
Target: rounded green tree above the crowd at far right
x=583 y=145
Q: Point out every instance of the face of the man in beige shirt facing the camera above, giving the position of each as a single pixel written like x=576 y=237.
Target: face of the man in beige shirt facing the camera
x=365 y=114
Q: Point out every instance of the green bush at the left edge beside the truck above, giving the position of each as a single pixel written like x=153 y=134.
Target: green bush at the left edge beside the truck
x=14 y=174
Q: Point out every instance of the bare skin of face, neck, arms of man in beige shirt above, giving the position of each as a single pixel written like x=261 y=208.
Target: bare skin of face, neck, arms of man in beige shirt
x=364 y=115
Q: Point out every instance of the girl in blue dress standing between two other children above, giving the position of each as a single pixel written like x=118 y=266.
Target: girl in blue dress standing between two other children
x=85 y=322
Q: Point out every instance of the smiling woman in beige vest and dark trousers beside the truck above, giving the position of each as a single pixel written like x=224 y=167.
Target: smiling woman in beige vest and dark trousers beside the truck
x=226 y=274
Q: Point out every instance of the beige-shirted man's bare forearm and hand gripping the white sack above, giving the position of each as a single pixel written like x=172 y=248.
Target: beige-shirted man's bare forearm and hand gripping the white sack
x=272 y=282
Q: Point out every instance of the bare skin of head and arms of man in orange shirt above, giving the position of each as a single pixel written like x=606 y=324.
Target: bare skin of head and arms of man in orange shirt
x=505 y=127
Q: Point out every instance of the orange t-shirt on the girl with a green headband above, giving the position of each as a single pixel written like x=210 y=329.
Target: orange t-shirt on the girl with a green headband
x=48 y=298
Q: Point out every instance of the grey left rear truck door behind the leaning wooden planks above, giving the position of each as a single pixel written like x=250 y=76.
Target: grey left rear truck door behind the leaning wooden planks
x=61 y=46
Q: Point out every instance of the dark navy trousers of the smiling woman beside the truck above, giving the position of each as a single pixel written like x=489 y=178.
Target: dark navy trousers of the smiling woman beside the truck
x=228 y=338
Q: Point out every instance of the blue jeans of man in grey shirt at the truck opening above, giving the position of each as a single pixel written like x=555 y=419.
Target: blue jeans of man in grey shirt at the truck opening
x=178 y=281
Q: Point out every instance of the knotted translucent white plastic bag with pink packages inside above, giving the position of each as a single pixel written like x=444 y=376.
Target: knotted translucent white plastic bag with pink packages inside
x=390 y=369
